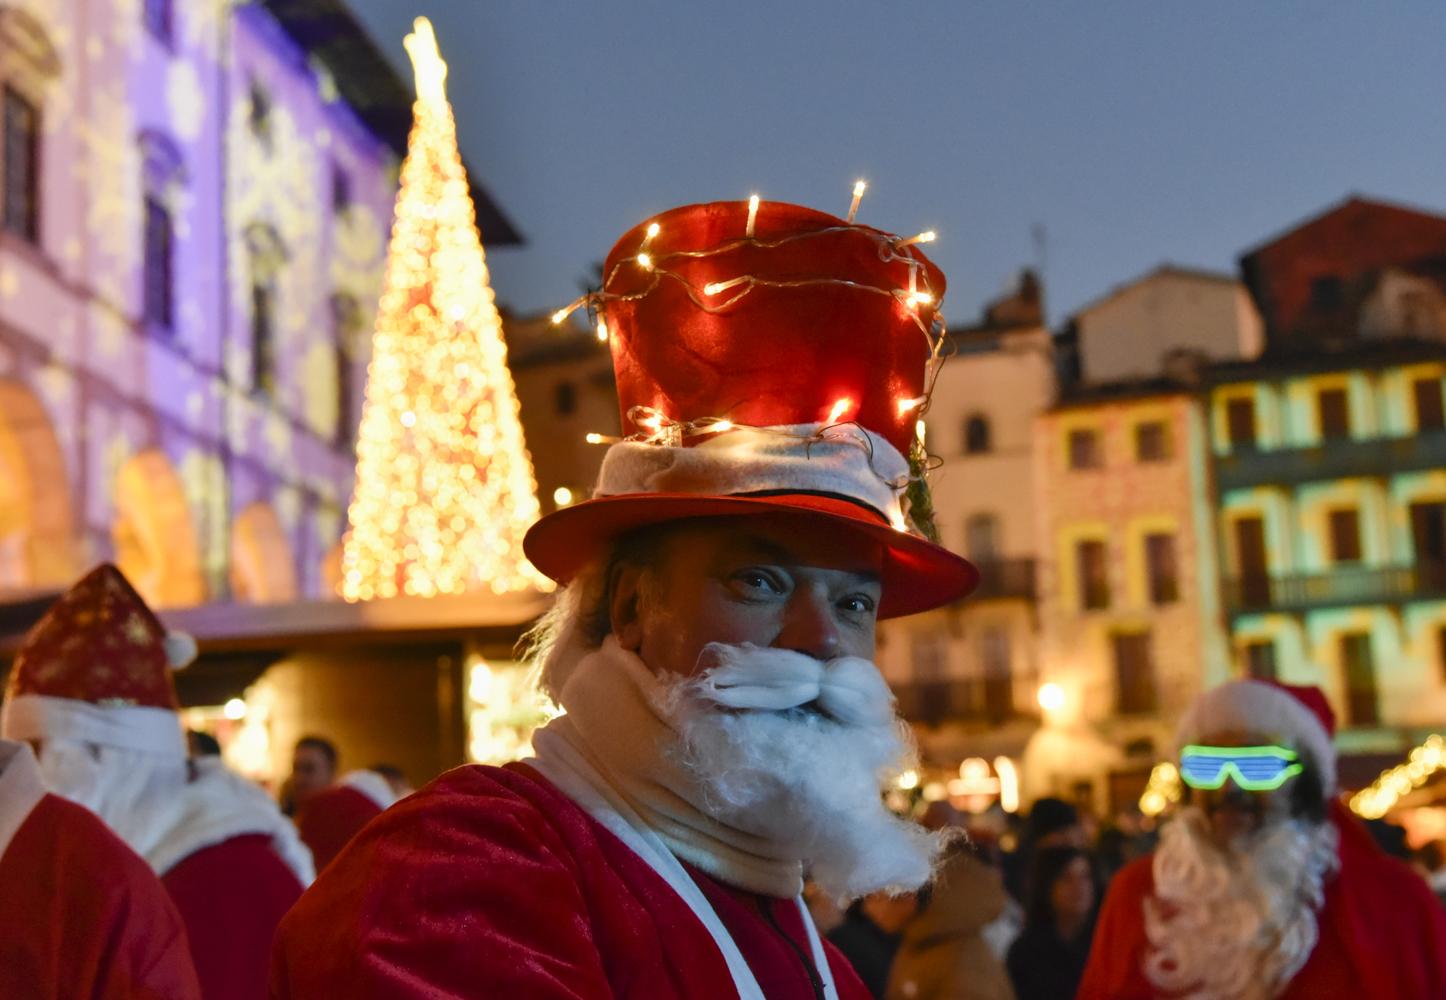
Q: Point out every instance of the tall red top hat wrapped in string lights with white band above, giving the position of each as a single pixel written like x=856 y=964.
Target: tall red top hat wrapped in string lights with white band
x=767 y=366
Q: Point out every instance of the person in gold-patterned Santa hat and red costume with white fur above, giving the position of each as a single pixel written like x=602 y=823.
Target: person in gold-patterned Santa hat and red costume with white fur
x=92 y=687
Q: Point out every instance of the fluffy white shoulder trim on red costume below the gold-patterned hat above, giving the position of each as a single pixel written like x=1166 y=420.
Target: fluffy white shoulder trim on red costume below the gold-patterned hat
x=216 y=807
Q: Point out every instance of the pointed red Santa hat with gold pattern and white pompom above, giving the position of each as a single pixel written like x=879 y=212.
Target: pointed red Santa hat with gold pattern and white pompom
x=96 y=668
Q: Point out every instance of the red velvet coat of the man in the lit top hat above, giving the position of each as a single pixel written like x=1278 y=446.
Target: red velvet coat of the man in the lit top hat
x=491 y=882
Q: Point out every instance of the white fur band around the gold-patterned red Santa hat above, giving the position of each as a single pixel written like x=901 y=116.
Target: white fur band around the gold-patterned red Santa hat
x=132 y=728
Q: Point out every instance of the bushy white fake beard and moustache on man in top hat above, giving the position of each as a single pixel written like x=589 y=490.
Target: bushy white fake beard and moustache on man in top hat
x=803 y=778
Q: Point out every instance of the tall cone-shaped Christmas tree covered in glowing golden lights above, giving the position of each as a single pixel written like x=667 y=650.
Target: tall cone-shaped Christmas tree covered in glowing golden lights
x=445 y=483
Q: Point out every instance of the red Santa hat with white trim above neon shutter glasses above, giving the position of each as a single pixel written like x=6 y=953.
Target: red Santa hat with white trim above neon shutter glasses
x=1295 y=715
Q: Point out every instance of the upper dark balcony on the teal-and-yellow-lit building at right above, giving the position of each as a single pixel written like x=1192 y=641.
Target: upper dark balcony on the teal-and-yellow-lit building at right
x=1335 y=460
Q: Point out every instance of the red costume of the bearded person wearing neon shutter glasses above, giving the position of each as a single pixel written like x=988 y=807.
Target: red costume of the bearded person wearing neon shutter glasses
x=1383 y=936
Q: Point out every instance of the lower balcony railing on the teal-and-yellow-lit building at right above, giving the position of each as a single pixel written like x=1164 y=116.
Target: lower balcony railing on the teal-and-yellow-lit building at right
x=1341 y=587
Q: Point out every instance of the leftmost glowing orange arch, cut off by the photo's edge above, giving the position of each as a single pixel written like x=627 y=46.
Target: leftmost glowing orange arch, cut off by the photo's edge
x=37 y=527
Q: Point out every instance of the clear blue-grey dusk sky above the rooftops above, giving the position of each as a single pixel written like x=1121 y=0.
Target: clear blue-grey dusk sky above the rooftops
x=1133 y=134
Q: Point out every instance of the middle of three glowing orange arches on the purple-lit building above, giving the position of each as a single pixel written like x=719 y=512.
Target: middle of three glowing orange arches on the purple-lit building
x=154 y=534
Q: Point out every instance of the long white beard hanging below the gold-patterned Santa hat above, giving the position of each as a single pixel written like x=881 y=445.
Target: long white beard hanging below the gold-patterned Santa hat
x=135 y=793
